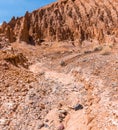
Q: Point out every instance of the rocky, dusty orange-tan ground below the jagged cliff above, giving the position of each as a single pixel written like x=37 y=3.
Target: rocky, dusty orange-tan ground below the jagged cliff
x=57 y=86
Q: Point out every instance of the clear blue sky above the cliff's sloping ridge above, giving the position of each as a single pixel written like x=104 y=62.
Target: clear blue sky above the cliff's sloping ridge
x=10 y=8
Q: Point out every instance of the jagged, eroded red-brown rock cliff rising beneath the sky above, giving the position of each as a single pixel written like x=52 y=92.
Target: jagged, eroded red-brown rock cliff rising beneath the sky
x=72 y=20
